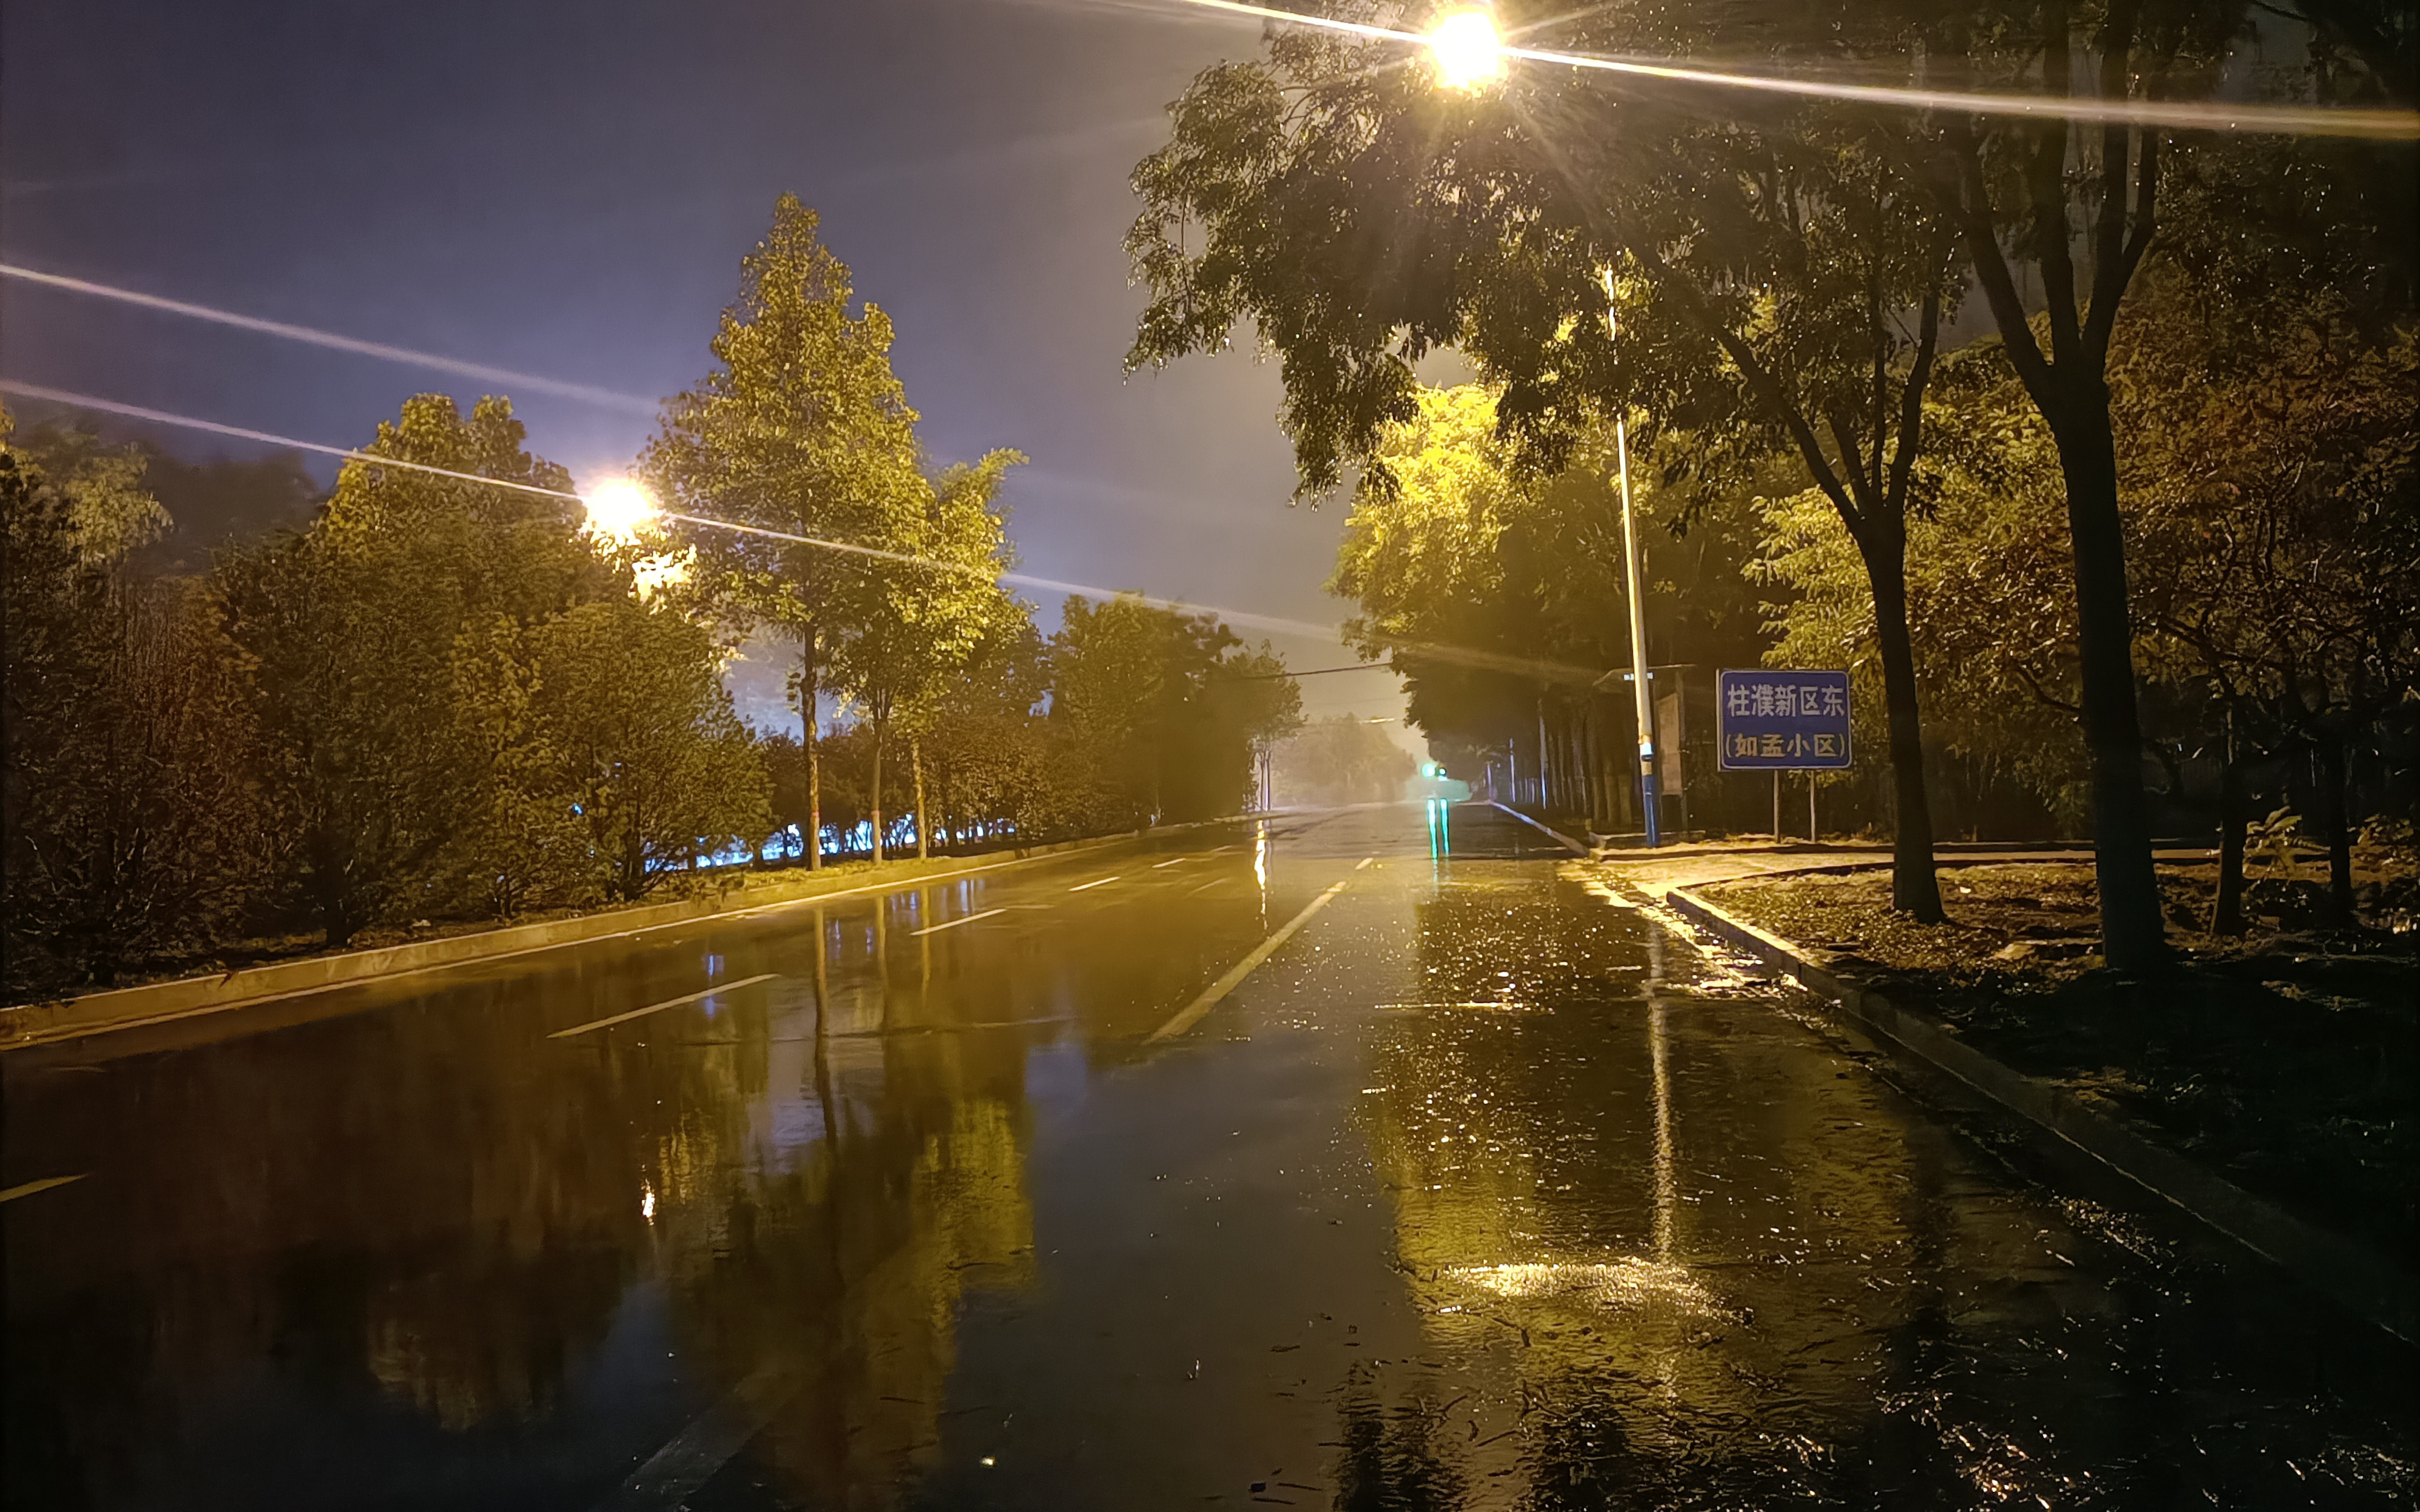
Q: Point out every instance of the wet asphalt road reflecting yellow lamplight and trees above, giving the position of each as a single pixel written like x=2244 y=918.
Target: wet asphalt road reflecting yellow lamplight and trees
x=1482 y=1191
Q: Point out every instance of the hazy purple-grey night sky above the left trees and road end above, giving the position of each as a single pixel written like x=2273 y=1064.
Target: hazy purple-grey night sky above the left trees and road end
x=567 y=190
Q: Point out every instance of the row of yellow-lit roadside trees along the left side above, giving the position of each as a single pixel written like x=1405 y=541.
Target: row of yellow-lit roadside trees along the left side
x=446 y=696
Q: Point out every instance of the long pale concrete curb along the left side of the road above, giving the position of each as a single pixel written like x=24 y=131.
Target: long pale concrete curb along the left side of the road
x=188 y=998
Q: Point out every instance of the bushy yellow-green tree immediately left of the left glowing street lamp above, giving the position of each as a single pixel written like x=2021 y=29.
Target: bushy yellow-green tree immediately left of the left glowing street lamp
x=357 y=623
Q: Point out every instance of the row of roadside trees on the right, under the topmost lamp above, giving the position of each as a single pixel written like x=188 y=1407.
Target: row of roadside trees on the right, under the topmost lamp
x=1785 y=296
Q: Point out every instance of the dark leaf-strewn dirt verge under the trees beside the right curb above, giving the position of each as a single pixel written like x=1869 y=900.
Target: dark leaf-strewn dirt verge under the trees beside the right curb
x=2283 y=1058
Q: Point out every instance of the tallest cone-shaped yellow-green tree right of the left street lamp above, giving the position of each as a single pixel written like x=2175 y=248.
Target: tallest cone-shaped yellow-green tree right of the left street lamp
x=800 y=432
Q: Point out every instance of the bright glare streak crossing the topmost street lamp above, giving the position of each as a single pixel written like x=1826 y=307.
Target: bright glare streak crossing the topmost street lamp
x=2116 y=112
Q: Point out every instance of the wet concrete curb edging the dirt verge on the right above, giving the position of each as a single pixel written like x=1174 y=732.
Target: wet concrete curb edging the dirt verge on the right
x=2341 y=1269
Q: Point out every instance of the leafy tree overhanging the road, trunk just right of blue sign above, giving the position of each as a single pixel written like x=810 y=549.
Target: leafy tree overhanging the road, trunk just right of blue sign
x=1777 y=272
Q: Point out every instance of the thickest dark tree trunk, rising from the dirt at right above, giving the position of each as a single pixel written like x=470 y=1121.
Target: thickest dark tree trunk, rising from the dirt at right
x=2133 y=935
